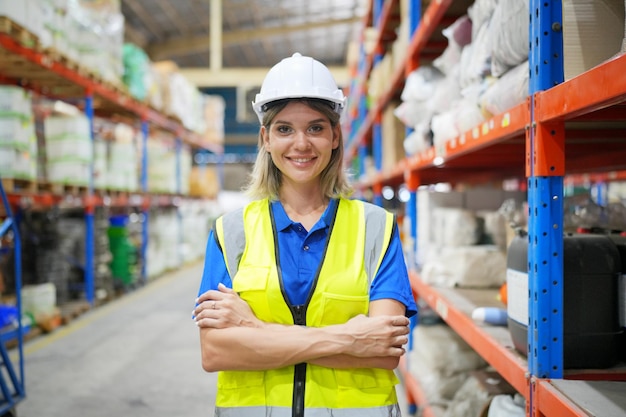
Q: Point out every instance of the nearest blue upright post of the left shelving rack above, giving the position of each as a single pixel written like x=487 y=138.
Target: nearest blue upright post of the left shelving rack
x=90 y=268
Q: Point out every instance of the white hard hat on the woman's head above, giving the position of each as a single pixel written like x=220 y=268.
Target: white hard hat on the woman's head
x=298 y=77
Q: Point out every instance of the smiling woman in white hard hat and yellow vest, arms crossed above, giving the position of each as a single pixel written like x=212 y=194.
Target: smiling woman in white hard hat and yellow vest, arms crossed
x=304 y=300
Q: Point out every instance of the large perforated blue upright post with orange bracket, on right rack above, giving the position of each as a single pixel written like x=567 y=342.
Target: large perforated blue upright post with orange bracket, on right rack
x=545 y=198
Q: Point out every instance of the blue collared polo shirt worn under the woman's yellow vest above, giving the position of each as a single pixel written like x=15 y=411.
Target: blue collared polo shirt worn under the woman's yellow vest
x=301 y=253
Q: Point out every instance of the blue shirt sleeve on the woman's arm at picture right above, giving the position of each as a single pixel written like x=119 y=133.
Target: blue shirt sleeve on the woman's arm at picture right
x=392 y=278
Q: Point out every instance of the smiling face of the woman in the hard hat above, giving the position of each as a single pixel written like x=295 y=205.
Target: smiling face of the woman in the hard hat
x=300 y=141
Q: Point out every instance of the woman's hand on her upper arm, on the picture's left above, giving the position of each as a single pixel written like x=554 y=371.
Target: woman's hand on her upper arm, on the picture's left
x=223 y=308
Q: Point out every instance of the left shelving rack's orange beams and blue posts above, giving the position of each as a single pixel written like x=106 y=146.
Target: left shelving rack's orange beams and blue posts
x=25 y=63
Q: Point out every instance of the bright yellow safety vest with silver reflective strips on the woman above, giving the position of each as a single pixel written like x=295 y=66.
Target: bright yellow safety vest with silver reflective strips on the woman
x=358 y=239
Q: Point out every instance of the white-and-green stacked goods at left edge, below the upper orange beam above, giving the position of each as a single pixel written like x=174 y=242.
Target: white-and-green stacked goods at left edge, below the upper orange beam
x=18 y=143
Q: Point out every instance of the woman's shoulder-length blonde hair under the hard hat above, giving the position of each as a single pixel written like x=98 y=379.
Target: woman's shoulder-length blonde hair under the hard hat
x=265 y=179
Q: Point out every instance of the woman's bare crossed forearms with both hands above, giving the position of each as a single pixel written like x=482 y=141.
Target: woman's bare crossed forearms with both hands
x=232 y=338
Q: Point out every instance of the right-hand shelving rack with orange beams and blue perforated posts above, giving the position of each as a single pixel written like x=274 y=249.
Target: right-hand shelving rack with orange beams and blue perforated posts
x=532 y=140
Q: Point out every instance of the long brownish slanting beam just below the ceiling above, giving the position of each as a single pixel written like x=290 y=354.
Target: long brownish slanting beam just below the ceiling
x=197 y=44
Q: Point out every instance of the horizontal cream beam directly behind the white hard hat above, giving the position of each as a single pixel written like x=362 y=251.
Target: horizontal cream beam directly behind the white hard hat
x=235 y=77
